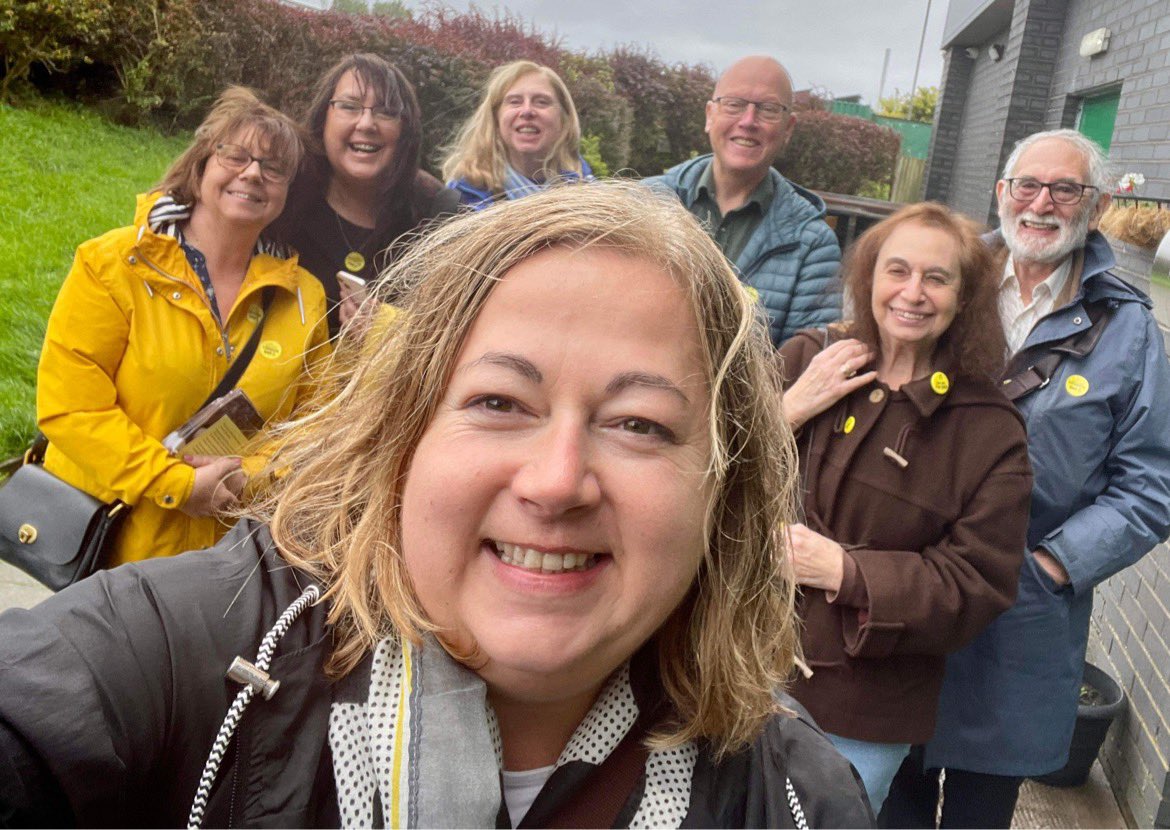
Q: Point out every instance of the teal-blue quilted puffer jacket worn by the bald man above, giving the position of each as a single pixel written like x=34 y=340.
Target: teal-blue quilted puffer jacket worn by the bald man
x=793 y=258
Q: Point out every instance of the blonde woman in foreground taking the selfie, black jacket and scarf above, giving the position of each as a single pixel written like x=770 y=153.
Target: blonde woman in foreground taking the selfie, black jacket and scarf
x=528 y=565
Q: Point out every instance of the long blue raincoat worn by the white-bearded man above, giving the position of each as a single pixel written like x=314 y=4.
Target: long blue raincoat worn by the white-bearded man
x=1098 y=440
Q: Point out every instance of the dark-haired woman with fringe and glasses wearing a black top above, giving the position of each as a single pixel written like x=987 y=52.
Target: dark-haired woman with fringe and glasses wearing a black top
x=362 y=189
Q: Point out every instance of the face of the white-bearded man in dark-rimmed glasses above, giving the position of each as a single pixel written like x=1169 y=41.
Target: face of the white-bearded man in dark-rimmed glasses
x=1041 y=230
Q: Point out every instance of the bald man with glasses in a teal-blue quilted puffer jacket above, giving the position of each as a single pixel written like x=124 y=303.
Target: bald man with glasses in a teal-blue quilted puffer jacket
x=770 y=229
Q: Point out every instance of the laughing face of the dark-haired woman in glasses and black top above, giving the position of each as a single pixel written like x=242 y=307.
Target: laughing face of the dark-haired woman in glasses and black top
x=360 y=150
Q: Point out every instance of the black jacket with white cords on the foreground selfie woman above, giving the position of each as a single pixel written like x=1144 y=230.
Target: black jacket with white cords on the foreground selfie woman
x=113 y=691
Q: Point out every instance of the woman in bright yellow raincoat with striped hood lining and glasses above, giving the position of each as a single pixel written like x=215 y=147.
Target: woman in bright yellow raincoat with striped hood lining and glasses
x=153 y=317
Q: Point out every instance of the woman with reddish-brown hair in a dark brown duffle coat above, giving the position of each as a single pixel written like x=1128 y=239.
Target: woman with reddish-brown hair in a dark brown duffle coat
x=917 y=484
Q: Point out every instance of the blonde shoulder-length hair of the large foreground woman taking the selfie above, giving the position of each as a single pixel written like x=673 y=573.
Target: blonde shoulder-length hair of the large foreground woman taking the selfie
x=336 y=509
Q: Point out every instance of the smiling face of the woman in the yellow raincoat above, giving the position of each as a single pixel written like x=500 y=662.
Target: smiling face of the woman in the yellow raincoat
x=240 y=196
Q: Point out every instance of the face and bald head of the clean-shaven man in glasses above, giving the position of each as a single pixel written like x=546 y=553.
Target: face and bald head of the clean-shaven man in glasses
x=745 y=146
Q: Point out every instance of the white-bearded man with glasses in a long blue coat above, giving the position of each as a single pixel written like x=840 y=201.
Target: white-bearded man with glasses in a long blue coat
x=1089 y=373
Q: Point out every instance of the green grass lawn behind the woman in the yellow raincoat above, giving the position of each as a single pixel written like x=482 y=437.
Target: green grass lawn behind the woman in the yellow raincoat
x=66 y=175
